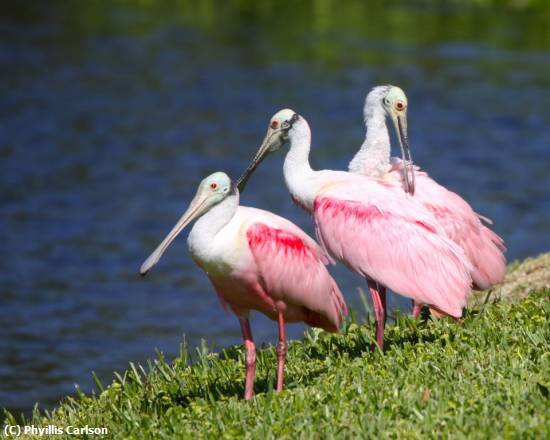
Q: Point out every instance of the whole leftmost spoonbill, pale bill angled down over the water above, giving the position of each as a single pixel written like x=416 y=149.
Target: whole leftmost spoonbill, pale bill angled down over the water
x=257 y=260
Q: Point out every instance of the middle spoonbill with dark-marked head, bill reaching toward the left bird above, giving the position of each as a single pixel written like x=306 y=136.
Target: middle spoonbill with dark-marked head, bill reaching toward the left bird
x=373 y=227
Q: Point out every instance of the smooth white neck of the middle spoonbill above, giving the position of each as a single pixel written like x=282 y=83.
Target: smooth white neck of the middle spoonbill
x=297 y=171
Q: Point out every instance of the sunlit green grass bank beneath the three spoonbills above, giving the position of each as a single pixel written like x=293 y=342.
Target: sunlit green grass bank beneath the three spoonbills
x=487 y=376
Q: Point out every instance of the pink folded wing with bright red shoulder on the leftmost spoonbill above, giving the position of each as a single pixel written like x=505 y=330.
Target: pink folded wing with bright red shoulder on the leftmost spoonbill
x=292 y=271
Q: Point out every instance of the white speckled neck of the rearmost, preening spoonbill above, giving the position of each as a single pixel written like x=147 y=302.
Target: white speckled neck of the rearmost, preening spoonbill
x=373 y=158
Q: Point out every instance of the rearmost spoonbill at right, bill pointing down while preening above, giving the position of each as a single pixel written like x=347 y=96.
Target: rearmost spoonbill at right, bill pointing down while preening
x=483 y=247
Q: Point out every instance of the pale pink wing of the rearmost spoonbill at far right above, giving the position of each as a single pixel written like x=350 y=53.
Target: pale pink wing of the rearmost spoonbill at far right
x=483 y=247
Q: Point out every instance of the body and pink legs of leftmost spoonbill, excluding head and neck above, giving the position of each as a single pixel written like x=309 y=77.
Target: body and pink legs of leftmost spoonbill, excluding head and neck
x=274 y=267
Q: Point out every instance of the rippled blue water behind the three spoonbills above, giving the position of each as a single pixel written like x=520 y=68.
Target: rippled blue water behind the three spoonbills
x=108 y=123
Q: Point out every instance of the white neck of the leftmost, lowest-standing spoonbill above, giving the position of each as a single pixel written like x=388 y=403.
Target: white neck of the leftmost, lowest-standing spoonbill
x=209 y=224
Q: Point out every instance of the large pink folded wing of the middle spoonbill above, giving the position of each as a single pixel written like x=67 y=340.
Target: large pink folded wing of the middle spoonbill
x=394 y=241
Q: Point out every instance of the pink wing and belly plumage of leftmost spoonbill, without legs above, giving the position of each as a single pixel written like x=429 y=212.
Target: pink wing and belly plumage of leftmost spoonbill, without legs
x=285 y=271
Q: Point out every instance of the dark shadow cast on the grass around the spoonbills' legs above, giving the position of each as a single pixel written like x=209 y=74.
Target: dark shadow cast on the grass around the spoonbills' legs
x=356 y=341
